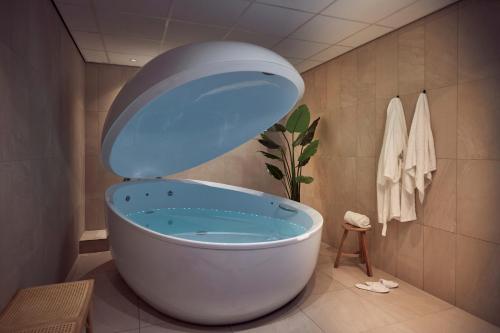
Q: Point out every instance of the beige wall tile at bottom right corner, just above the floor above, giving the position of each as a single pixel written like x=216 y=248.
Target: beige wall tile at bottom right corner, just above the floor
x=478 y=273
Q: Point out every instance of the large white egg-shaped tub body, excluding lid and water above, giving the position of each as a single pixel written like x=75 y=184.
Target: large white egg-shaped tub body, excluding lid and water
x=210 y=282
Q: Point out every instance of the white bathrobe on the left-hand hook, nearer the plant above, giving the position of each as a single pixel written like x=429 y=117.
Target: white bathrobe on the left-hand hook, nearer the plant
x=390 y=165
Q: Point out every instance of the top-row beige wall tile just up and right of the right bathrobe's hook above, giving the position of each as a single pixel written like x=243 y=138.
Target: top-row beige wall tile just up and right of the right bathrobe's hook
x=441 y=59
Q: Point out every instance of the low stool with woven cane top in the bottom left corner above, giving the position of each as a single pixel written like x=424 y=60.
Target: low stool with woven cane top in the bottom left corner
x=62 y=307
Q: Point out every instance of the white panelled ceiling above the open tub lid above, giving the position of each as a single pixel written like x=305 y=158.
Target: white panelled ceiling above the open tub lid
x=306 y=32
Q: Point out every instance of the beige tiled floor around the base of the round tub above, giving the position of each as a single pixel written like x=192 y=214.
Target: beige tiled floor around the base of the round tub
x=329 y=303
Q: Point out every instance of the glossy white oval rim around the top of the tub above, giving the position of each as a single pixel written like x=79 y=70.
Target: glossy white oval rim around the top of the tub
x=315 y=216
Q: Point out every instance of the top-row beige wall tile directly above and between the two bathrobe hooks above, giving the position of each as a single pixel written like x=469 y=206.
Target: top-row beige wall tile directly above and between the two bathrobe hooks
x=411 y=41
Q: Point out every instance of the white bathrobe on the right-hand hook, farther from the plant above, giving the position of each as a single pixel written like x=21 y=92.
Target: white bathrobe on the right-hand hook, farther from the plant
x=420 y=159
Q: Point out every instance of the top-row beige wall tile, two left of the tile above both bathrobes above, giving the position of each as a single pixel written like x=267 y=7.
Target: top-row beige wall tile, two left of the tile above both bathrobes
x=367 y=68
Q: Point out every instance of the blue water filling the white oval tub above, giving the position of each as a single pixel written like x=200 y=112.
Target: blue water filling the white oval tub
x=216 y=226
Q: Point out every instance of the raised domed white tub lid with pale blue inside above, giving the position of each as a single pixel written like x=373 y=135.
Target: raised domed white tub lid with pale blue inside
x=194 y=103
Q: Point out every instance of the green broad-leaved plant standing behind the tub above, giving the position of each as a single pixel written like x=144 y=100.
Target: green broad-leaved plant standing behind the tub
x=291 y=147
